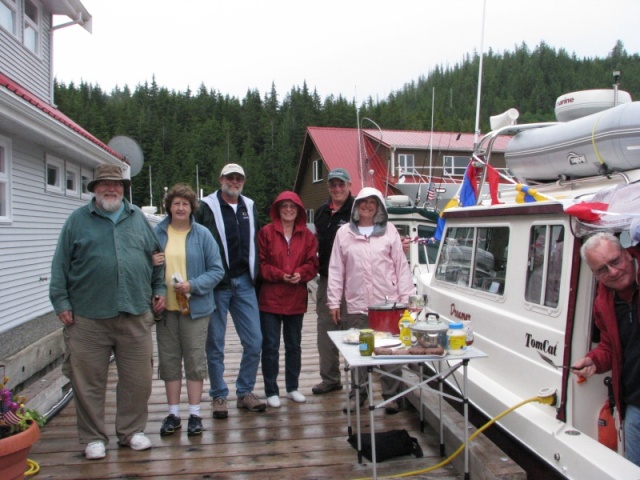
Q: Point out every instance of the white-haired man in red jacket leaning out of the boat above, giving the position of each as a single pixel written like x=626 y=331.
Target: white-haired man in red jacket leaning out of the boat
x=615 y=311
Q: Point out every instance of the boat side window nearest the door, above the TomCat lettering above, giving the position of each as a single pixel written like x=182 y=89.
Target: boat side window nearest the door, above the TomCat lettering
x=544 y=264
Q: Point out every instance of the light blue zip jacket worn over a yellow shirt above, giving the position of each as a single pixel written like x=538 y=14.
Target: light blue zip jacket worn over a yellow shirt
x=204 y=266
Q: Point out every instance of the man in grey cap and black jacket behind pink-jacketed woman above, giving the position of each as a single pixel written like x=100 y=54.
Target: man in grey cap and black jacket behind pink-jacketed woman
x=328 y=218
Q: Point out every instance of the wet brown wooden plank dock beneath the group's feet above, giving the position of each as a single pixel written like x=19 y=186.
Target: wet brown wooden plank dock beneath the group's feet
x=305 y=441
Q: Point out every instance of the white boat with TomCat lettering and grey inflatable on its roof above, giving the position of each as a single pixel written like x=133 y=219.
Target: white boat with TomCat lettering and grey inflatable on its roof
x=513 y=270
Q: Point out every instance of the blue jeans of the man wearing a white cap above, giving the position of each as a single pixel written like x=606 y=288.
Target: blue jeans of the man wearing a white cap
x=239 y=300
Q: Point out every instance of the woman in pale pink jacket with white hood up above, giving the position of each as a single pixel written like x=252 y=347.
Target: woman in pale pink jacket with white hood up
x=368 y=266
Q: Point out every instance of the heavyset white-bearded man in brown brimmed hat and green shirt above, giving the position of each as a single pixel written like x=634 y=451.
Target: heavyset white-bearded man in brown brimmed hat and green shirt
x=105 y=291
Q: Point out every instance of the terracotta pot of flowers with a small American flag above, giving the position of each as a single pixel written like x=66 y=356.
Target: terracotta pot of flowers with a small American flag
x=19 y=430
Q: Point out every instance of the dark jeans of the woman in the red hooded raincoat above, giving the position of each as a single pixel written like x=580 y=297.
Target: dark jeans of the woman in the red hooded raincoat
x=291 y=326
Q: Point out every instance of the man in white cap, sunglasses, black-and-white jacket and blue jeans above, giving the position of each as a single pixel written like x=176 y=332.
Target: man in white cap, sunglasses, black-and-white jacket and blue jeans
x=233 y=221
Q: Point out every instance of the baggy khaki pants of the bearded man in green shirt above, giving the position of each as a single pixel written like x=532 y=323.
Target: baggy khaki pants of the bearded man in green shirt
x=89 y=344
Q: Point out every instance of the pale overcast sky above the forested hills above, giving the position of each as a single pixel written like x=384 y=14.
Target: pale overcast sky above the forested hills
x=357 y=48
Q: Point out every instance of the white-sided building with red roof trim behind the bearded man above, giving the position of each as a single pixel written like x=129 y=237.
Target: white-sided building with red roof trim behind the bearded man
x=46 y=161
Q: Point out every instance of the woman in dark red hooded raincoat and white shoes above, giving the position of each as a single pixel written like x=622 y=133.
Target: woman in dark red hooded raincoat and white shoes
x=288 y=260
